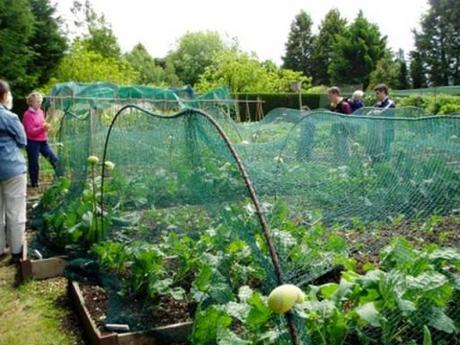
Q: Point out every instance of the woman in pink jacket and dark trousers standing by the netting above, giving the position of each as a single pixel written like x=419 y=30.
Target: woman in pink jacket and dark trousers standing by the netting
x=37 y=137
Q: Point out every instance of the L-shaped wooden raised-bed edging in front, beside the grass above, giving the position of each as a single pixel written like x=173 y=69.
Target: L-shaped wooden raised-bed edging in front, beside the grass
x=159 y=336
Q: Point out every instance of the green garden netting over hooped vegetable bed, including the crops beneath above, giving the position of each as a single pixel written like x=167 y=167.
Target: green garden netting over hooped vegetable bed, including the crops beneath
x=180 y=213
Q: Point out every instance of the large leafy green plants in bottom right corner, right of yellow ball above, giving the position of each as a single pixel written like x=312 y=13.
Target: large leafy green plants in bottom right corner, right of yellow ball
x=413 y=289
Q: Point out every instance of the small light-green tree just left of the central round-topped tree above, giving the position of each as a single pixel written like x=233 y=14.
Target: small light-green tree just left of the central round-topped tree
x=141 y=61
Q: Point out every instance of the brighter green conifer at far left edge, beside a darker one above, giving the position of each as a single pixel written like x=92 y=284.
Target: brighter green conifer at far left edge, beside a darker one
x=16 y=29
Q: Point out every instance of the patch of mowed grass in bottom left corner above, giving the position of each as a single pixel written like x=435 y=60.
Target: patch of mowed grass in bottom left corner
x=35 y=313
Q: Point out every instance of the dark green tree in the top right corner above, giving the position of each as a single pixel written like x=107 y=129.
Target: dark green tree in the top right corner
x=438 y=42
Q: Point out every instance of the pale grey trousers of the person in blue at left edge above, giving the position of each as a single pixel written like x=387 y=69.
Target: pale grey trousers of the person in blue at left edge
x=13 y=213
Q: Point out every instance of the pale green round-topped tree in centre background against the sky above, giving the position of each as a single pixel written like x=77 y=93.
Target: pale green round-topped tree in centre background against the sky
x=195 y=51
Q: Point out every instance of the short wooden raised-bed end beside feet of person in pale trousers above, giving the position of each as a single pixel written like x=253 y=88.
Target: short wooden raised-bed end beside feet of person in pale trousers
x=41 y=268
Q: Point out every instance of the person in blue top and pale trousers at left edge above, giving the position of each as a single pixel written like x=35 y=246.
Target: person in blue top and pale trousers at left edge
x=13 y=180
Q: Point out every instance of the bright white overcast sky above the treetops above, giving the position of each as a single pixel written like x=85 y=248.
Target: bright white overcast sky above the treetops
x=260 y=26
